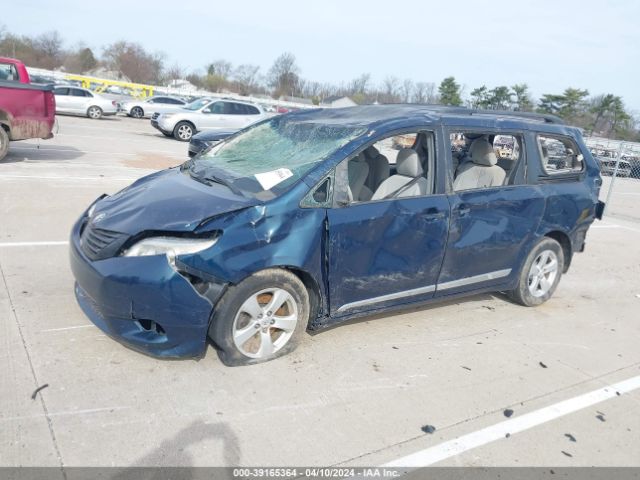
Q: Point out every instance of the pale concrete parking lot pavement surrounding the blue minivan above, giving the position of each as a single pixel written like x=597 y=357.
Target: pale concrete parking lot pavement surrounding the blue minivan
x=358 y=394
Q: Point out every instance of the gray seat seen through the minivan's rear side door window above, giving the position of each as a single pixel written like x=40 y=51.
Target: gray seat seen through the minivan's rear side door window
x=481 y=171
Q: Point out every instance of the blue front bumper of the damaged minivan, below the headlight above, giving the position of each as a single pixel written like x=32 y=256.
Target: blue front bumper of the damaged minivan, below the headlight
x=141 y=302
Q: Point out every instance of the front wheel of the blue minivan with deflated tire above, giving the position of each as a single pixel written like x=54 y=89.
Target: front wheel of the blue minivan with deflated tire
x=242 y=326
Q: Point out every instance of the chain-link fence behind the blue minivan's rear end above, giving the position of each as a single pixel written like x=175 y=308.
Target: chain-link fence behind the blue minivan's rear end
x=620 y=169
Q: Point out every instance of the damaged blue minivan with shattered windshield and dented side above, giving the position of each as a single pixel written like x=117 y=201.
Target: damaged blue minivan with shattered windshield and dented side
x=312 y=218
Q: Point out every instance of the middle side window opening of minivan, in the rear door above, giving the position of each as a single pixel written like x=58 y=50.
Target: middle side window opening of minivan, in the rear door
x=485 y=159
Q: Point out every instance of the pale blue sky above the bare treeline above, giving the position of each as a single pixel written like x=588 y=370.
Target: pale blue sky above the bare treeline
x=550 y=45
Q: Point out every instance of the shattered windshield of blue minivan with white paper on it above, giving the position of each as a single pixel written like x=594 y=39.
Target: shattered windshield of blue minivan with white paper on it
x=266 y=159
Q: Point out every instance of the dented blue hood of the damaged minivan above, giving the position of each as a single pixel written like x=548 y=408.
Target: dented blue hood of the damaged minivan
x=169 y=200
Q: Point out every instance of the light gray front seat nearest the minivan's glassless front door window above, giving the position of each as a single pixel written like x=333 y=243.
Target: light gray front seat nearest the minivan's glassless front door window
x=409 y=171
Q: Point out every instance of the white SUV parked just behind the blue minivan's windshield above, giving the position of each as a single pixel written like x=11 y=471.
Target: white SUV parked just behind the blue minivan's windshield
x=207 y=114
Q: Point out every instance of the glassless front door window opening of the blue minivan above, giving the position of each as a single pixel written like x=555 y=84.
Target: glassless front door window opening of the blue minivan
x=397 y=166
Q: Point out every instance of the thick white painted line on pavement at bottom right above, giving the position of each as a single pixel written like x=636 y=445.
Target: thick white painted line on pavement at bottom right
x=445 y=450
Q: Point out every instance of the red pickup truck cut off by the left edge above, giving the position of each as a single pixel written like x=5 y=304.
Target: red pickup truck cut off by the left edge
x=26 y=110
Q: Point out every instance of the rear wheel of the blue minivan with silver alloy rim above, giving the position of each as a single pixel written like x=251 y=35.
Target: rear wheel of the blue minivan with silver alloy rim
x=540 y=274
